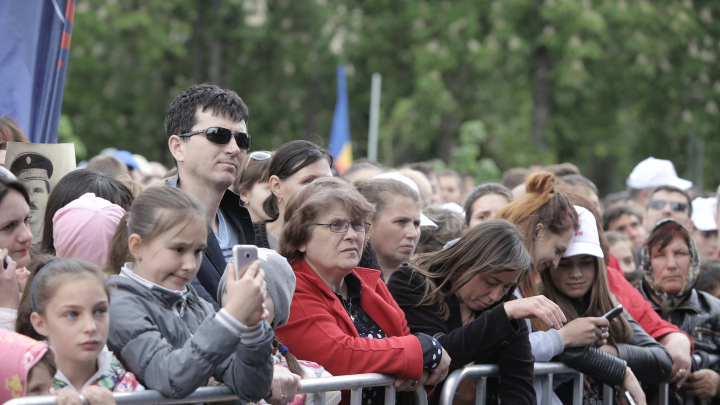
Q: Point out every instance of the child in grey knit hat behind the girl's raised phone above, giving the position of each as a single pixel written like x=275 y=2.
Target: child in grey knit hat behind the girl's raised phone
x=280 y=280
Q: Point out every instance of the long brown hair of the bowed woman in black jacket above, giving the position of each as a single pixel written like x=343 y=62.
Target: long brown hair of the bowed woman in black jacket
x=494 y=246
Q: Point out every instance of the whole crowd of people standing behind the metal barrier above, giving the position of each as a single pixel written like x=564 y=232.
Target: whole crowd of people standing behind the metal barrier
x=129 y=282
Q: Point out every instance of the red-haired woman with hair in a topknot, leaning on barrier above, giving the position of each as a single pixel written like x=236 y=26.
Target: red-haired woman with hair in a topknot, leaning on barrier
x=549 y=222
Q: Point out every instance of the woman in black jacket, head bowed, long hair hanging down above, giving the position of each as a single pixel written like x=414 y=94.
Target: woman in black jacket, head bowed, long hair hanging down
x=462 y=296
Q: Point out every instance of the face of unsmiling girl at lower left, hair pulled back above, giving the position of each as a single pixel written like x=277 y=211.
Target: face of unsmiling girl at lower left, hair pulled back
x=76 y=319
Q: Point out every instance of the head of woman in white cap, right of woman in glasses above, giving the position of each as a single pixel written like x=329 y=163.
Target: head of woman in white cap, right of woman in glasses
x=397 y=219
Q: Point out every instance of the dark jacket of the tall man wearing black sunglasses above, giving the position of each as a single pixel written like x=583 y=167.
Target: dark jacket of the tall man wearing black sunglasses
x=213 y=264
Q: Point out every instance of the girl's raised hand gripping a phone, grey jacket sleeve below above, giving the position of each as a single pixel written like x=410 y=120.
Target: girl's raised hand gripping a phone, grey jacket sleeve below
x=246 y=295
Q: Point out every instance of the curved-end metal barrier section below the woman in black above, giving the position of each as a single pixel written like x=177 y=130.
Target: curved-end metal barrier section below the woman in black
x=481 y=372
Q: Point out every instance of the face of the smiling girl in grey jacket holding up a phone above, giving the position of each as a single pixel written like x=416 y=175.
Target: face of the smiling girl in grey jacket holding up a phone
x=172 y=259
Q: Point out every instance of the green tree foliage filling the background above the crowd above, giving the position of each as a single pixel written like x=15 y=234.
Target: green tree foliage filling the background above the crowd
x=480 y=85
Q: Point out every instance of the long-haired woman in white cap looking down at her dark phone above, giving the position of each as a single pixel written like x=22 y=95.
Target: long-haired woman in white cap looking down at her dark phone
x=579 y=286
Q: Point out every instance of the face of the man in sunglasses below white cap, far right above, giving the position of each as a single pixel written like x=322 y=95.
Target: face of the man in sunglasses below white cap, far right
x=668 y=202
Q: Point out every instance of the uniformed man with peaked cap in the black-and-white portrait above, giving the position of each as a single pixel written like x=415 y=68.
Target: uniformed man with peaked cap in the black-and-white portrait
x=35 y=171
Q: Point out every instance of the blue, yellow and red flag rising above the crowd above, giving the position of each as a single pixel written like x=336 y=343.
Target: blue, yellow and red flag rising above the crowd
x=340 y=146
